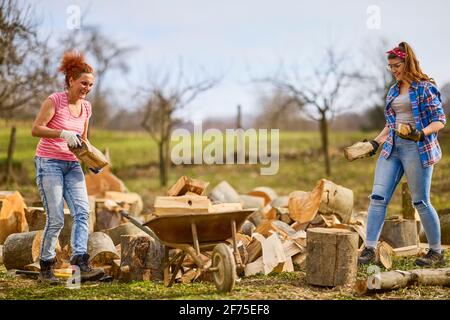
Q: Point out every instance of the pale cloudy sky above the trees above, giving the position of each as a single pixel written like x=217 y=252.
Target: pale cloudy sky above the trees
x=248 y=38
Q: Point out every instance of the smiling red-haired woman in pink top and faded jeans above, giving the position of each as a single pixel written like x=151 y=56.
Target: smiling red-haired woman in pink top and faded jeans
x=62 y=119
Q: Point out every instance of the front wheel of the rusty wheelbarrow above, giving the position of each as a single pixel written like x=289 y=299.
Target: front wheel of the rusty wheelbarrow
x=225 y=274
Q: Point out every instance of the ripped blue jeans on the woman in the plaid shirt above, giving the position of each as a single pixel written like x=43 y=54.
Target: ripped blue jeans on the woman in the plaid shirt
x=404 y=159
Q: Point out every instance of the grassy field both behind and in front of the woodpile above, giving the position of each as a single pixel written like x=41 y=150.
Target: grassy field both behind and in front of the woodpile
x=134 y=157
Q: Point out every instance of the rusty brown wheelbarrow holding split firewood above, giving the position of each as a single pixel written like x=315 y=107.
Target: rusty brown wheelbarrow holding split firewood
x=194 y=233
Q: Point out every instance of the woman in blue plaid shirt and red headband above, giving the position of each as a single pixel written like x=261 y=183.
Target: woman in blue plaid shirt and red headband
x=413 y=101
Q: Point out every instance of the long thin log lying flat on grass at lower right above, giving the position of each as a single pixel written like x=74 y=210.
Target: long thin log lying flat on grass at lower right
x=392 y=280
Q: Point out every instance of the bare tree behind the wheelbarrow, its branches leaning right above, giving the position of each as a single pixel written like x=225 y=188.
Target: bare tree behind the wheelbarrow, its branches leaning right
x=164 y=99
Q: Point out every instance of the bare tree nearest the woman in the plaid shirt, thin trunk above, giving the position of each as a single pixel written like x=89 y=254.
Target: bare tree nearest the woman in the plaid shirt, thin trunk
x=318 y=96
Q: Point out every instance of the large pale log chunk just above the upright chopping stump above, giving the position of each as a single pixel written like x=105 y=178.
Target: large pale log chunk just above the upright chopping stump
x=337 y=200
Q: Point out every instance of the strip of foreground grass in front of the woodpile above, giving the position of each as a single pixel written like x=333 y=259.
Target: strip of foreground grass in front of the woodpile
x=285 y=286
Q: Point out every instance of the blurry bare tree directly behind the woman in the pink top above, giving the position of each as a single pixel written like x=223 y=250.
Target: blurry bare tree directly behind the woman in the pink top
x=108 y=55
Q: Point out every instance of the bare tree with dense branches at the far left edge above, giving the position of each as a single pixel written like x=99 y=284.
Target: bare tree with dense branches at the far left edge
x=24 y=67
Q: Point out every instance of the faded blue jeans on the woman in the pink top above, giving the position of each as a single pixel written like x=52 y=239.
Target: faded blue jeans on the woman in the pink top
x=58 y=180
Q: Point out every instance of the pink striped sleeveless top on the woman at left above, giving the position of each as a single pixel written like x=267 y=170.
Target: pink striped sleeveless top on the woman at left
x=57 y=148
